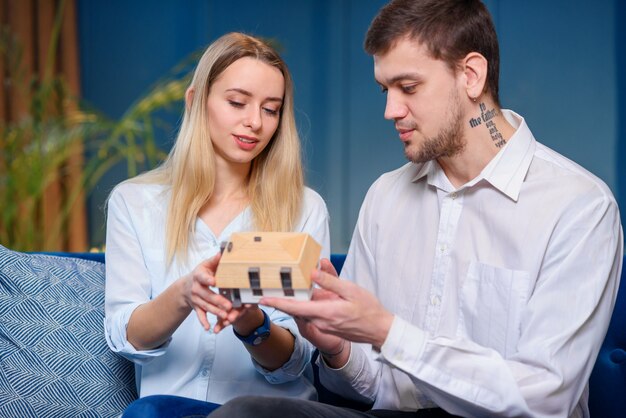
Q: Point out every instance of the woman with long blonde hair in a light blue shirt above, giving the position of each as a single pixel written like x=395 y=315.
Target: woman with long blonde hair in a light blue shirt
x=235 y=166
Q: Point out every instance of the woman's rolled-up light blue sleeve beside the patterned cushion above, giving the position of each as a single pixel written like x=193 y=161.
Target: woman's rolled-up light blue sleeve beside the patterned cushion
x=127 y=280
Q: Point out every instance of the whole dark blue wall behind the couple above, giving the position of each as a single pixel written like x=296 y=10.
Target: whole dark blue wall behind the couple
x=560 y=66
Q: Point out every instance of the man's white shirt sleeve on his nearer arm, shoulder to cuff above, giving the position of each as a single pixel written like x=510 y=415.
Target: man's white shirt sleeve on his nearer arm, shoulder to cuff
x=562 y=328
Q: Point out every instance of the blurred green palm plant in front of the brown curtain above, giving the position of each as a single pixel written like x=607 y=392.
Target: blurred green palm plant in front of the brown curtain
x=58 y=136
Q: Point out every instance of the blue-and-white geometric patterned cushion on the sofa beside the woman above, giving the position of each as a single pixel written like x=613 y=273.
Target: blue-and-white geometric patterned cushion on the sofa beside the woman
x=54 y=361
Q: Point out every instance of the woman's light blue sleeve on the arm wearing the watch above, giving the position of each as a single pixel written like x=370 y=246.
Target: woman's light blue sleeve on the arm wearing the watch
x=314 y=221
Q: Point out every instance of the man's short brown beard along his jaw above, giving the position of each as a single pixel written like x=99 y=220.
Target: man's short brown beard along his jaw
x=449 y=140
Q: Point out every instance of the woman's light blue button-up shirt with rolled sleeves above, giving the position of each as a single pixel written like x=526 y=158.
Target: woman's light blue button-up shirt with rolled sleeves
x=194 y=363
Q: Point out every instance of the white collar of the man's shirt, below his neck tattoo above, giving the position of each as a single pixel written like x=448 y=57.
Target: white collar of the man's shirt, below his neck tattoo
x=506 y=171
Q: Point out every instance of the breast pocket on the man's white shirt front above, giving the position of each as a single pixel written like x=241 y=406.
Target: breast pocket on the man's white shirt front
x=491 y=303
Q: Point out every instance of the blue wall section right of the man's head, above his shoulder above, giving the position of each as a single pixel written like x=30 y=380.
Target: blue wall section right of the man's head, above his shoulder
x=559 y=70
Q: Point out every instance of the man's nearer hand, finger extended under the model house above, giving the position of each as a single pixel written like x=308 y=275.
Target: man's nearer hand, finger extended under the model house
x=339 y=308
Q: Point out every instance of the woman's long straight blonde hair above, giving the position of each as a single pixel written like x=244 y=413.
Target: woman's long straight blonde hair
x=275 y=185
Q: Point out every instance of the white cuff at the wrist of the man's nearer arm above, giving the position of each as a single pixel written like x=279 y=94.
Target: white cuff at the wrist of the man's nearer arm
x=404 y=345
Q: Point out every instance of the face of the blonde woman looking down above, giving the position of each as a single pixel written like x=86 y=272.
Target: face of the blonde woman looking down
x=244 y=109
